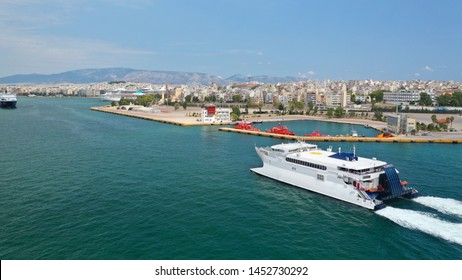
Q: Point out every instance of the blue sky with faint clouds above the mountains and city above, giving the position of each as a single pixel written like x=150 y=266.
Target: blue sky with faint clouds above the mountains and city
x=312 y=39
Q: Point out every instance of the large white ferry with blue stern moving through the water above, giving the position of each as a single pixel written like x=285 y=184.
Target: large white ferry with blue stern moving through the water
x=344 y=176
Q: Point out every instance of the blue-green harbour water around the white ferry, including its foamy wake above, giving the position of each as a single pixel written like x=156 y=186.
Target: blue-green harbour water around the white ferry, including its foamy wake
x=81 y=184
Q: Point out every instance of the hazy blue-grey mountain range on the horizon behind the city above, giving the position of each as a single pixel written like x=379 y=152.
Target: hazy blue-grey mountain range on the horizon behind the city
x=86 y=76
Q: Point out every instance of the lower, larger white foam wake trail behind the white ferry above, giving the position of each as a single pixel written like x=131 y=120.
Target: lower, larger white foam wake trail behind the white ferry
x=424 y=222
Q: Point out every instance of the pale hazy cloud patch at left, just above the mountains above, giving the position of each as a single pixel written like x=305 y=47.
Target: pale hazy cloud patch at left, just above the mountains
x=48 y=54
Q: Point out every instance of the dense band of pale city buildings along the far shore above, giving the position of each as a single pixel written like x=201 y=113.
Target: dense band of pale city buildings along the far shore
x=296 y=96
